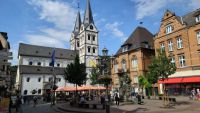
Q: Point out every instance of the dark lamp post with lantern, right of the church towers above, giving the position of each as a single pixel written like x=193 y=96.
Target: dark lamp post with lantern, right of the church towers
x=104 y=77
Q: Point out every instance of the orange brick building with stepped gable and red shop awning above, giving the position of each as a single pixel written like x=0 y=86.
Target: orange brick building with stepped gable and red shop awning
x=179 y=36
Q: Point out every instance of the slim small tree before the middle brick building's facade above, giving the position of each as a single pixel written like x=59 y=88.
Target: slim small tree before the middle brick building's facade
x=125 y=84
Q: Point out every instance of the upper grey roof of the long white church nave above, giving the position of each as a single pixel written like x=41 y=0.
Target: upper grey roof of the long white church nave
x=41 y=51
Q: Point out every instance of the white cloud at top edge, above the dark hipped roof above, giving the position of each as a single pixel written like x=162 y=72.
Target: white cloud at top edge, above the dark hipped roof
x=148 y=7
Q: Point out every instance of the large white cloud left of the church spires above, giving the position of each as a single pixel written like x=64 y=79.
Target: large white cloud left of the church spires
x=60 y=17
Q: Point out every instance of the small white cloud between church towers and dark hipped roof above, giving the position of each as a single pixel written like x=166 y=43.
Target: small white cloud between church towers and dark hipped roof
x=114 y=28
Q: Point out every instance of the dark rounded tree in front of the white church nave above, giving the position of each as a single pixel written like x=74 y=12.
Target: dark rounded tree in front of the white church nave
x=76 y=73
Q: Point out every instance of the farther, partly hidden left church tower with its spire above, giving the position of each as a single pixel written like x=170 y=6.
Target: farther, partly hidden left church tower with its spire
x=74 y=40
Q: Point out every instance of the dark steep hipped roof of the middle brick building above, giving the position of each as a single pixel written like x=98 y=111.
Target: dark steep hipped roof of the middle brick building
x=138 y=39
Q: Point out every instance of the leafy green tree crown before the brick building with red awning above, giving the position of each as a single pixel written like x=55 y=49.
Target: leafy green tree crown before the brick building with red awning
x=160 y=68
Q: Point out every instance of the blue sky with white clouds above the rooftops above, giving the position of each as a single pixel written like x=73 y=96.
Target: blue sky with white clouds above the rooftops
x=50 y=22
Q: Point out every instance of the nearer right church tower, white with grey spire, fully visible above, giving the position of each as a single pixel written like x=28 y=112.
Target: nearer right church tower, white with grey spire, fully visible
x=88 y=40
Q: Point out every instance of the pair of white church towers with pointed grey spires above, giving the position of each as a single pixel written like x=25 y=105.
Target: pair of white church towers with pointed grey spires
x=85 y=39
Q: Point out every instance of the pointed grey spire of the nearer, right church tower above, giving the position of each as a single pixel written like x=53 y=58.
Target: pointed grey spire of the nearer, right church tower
x=88 y=18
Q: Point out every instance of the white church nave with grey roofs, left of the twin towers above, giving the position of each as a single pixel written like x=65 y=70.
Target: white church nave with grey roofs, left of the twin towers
x=35 y=71
